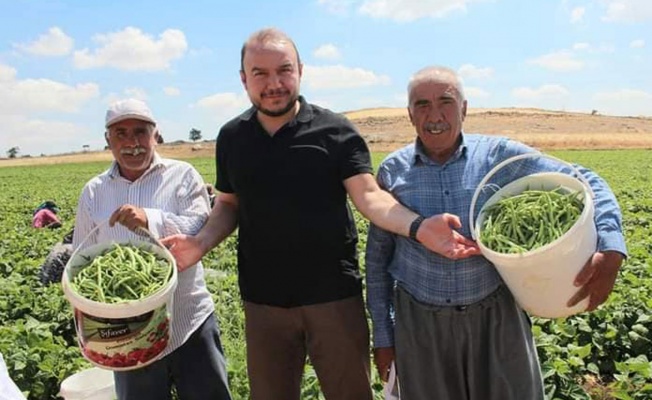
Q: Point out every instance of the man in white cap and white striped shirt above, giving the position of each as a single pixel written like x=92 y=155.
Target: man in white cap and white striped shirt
x=142 y=190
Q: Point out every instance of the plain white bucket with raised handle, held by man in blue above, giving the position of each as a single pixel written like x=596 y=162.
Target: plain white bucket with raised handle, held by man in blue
x=541 y=280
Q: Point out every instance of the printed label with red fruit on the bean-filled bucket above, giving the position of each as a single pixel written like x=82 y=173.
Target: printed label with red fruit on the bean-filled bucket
x=123 y=343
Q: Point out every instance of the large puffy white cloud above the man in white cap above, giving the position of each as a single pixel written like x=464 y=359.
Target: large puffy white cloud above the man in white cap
x=133 y=50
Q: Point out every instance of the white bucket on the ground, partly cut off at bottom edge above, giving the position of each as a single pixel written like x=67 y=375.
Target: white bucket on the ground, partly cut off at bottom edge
x=89 y=384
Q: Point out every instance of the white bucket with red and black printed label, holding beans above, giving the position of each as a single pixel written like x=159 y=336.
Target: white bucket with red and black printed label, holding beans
x=121 y=336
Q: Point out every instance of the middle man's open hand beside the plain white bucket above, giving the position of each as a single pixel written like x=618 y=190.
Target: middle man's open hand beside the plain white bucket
x=437 y=233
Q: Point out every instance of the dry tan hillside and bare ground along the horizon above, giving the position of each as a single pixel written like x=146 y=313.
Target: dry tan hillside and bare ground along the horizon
x=387 y=129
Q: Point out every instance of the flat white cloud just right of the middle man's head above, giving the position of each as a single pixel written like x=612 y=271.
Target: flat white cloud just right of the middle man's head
x=341 y=77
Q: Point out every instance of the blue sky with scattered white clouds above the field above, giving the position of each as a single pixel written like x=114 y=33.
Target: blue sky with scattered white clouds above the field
x=63 y=61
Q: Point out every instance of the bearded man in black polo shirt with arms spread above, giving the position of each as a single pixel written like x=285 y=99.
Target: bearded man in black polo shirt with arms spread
x=284 y=169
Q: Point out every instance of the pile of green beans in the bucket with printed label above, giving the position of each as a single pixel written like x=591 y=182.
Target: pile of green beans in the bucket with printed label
x=122 y=273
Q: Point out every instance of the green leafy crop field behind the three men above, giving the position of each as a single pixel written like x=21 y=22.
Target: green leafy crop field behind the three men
x=600 y=355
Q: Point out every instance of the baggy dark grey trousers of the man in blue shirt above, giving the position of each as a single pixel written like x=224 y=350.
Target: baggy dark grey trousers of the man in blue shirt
x=483 y=351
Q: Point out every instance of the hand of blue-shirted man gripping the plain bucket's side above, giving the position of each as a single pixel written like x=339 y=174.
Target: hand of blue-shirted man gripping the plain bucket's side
x=597 y=278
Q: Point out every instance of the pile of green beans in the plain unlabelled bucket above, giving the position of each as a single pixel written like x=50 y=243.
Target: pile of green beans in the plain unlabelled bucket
x=529 y=220
